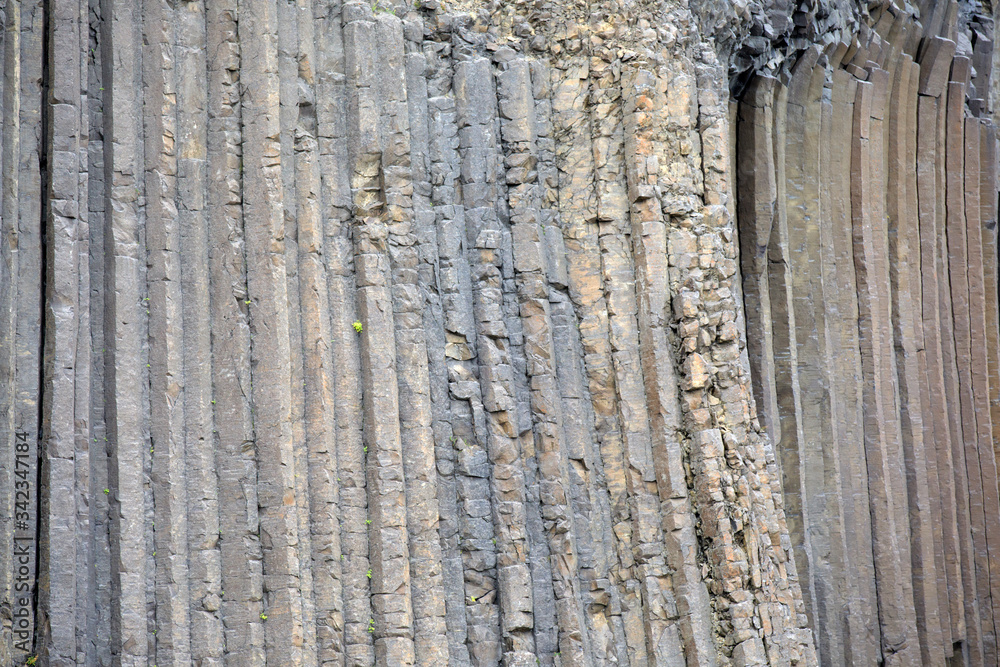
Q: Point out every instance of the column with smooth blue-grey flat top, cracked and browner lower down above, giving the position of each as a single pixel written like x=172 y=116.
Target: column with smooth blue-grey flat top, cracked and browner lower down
x=477 y=116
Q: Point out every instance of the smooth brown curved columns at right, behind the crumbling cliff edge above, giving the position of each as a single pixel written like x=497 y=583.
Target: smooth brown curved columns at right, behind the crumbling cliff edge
x=867 y=188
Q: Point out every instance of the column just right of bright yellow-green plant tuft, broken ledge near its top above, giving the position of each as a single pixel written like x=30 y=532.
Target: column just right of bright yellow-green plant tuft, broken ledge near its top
x=378 y=158
